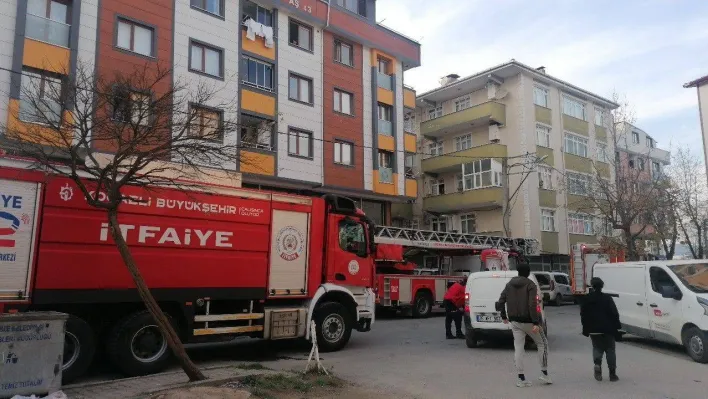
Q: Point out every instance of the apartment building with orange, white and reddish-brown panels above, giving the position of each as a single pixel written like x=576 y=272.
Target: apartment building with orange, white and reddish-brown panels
x=318 y=86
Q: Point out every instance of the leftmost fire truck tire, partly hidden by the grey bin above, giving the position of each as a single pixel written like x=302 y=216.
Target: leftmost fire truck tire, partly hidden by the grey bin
x=79 y=348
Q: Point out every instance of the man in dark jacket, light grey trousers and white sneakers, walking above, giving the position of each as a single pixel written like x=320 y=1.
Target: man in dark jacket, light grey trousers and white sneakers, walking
x=518 y=305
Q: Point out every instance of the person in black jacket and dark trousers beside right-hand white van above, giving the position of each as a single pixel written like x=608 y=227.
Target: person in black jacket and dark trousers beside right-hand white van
x=601 y=323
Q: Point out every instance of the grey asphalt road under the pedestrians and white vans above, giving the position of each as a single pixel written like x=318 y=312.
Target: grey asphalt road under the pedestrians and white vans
x=413 y=357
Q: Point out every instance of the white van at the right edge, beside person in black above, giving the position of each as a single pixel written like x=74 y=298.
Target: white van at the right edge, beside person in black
x=662 y=300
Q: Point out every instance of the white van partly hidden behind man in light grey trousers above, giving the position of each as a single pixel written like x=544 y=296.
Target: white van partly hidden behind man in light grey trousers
x=482 y=320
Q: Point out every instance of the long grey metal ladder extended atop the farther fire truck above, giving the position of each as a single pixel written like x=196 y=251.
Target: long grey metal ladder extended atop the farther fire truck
x=443 y=240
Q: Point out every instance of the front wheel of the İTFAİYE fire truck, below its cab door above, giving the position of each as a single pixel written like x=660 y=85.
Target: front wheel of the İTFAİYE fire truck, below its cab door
x=334 y=326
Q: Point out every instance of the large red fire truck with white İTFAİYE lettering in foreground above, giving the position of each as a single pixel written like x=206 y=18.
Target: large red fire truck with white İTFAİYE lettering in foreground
x=220 y=261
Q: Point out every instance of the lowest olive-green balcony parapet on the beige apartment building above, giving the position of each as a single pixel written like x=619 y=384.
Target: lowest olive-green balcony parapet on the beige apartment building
x=471 y=200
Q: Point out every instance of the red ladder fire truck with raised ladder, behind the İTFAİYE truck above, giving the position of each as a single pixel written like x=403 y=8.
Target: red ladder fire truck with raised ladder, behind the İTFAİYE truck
x=398 y=287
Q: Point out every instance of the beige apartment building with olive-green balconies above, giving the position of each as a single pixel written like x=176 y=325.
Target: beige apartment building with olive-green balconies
x=479 y=130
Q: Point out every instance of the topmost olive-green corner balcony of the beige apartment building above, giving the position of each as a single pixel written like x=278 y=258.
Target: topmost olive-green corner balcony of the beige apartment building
x=479 y=115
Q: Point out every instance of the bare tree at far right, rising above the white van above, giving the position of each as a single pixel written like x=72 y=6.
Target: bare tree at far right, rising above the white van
x=688 y=176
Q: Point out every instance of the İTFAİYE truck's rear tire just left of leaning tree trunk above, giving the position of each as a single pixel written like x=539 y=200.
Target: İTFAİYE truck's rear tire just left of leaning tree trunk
x=136 y=347
